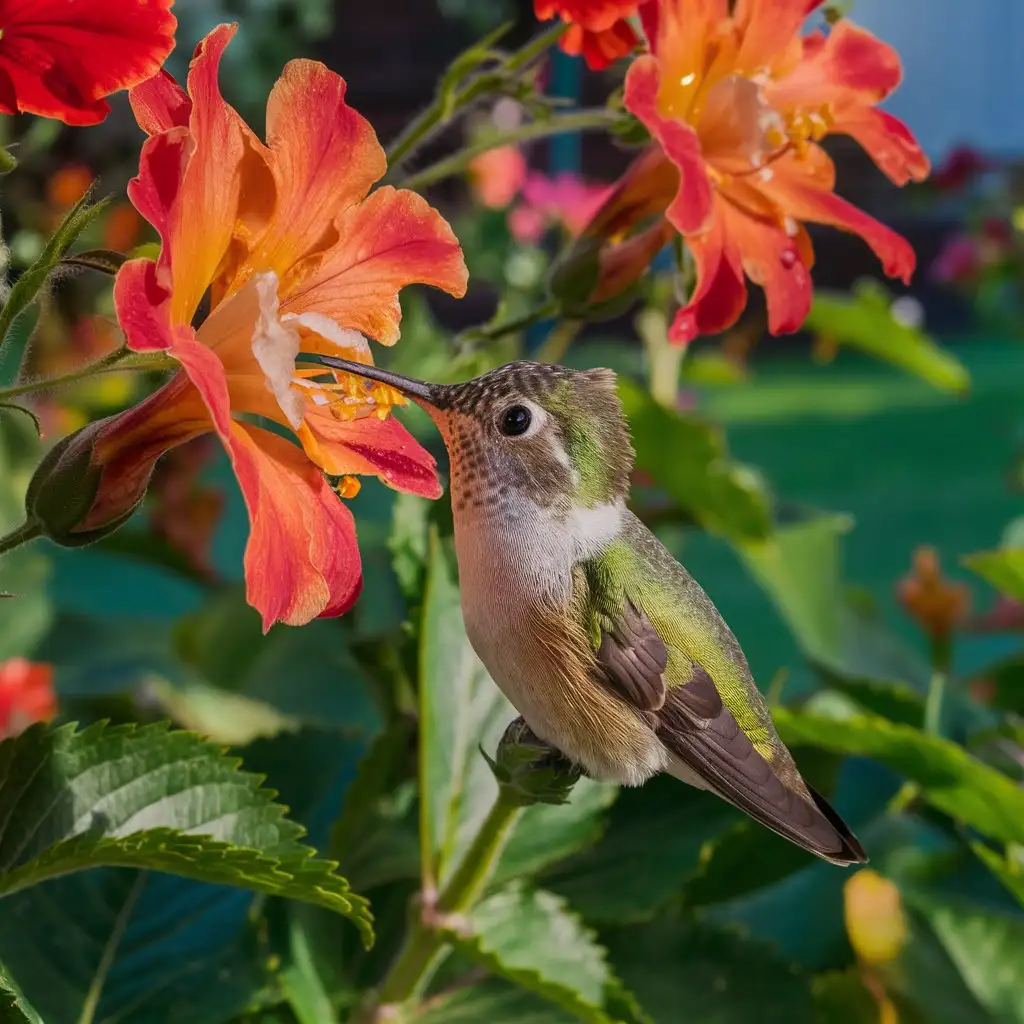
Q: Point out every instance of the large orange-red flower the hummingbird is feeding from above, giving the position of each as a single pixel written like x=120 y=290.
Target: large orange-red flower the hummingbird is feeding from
x=294 y=255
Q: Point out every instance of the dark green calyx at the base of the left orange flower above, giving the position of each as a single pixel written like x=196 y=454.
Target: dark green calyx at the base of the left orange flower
x=65 y=496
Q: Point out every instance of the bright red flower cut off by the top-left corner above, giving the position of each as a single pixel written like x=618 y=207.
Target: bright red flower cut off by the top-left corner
x=60 y=59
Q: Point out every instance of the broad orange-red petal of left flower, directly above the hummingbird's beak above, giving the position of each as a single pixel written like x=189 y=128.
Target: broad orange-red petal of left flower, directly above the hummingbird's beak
x=391 y=240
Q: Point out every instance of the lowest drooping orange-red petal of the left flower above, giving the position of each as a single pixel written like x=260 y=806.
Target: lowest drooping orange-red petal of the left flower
x=302 y=561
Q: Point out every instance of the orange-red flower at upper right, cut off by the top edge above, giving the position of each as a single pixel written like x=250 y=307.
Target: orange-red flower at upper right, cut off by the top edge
x=737 y=105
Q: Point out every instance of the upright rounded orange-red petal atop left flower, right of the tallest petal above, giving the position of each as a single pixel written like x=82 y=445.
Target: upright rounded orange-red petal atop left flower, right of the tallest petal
x=324 y=157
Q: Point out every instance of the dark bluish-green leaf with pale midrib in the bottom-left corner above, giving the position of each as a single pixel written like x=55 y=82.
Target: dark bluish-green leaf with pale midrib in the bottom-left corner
x=116 y=947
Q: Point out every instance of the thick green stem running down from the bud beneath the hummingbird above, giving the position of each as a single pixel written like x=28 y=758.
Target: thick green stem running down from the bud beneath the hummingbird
x=426 y=943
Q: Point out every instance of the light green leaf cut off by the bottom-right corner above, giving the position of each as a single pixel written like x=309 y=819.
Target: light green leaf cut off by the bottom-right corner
x=988 y=949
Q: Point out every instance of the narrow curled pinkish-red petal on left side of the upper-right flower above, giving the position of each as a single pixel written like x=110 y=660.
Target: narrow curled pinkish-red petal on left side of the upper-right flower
x=692 y=207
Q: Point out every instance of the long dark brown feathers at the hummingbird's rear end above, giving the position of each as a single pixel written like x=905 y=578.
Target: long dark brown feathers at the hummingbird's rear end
x=707 y=741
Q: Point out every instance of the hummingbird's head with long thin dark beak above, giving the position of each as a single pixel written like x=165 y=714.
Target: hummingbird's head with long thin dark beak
x=526 y=433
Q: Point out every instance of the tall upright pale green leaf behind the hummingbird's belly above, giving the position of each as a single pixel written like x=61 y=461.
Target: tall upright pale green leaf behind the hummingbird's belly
x=460 y=710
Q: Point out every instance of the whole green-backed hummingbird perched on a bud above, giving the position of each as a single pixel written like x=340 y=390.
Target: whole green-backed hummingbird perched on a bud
x=608 y=648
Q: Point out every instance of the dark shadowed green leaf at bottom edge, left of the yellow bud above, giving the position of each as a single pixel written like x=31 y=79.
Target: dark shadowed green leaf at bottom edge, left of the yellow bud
x=681 y=970
